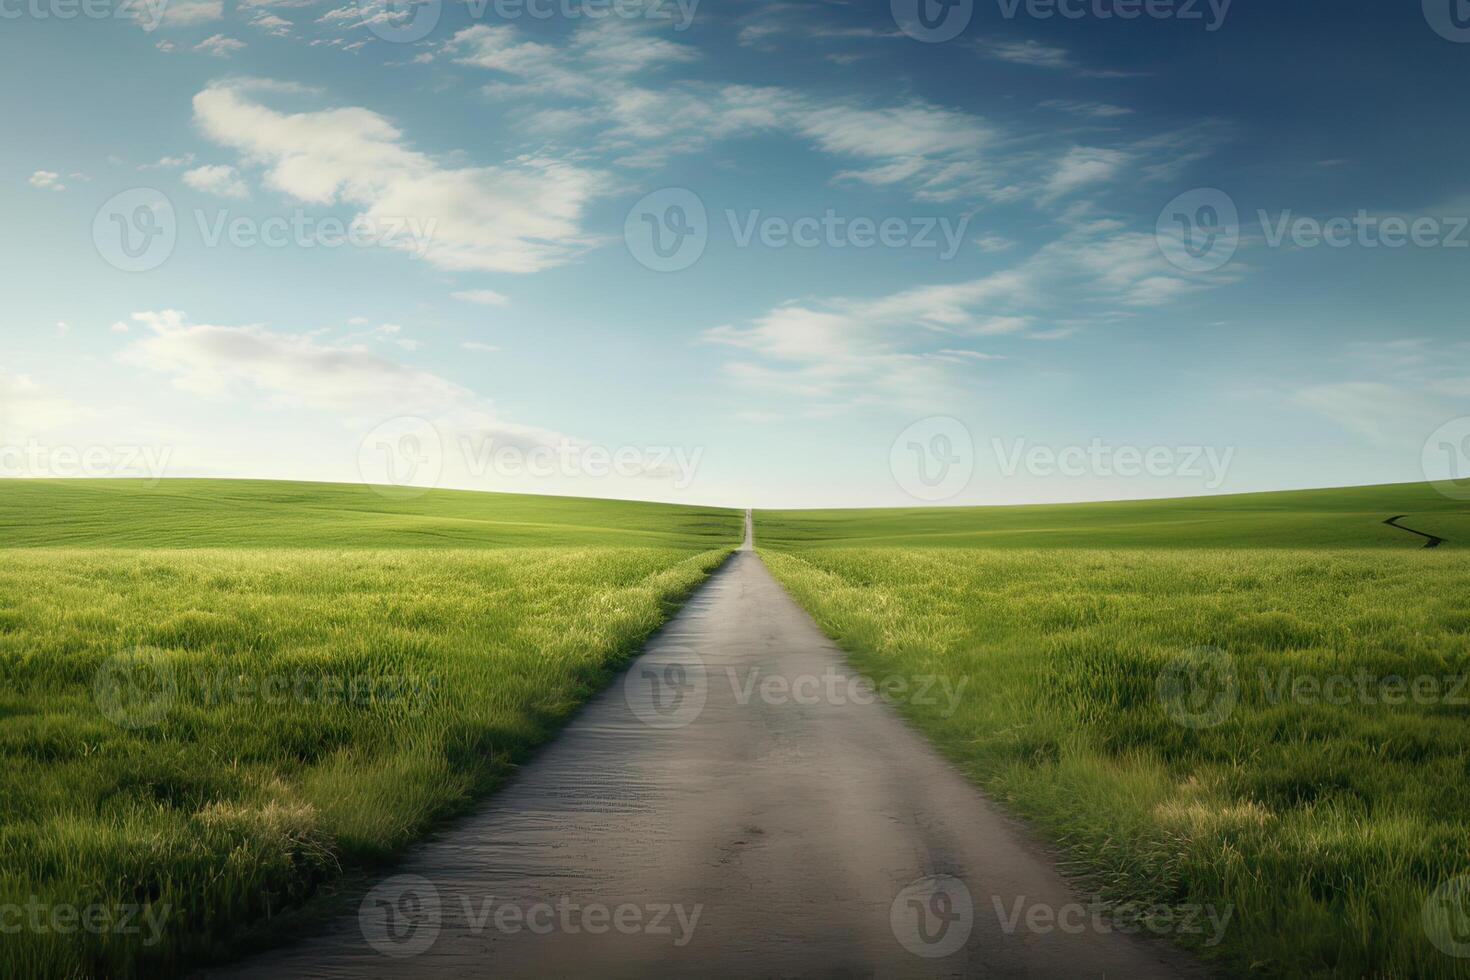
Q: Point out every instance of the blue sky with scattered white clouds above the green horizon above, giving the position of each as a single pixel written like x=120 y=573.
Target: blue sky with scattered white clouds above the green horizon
x=1030 y=325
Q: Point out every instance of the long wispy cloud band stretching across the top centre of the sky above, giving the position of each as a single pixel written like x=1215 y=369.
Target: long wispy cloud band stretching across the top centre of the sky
x=933 y=154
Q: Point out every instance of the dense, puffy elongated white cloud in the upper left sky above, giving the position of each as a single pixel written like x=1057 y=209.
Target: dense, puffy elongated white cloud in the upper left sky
x=520 y=217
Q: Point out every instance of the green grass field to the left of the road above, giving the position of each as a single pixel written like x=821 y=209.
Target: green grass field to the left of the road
x=221 y=700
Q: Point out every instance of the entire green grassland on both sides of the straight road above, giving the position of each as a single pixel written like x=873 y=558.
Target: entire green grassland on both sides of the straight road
x=226 y=702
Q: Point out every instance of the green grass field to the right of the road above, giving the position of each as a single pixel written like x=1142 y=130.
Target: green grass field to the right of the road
x=1206 y=703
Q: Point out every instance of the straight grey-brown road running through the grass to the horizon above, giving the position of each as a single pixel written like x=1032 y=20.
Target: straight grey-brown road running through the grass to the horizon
x=737 y=806
